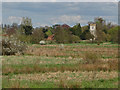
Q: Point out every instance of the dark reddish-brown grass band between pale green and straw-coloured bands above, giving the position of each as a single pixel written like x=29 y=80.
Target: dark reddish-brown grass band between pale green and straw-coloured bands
x=77 y=67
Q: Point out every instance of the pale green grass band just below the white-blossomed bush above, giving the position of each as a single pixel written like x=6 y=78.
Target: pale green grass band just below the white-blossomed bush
x=28 y=60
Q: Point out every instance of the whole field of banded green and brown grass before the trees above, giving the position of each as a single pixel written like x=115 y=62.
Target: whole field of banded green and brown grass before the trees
x=72 y=66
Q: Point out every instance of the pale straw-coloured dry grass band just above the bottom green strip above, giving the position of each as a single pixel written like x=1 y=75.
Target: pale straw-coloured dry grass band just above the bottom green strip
x=59 y=77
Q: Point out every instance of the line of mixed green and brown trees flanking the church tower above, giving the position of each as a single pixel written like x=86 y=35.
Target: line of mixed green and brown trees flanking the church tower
x=106 y=32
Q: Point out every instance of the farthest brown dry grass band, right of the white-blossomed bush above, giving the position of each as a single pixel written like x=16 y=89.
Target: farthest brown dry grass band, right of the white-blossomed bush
x=74 y=51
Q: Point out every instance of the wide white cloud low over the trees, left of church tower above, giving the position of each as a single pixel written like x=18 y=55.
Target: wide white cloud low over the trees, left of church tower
x=68 y=19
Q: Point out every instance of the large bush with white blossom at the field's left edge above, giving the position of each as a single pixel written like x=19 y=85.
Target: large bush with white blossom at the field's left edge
x=12 y=46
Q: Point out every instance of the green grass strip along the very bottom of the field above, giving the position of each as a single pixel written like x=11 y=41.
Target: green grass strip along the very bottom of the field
x=111 y=83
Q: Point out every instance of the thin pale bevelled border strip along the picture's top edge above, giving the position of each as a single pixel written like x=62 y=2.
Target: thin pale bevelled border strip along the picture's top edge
x=60 y=0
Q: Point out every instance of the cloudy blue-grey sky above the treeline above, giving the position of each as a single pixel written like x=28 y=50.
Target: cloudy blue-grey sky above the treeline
x=50 y=13
